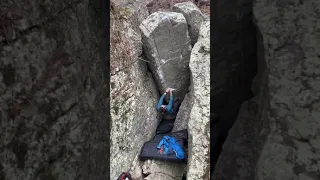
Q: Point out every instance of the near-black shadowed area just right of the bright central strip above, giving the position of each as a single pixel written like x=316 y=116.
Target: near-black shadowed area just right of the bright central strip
x=234 y=64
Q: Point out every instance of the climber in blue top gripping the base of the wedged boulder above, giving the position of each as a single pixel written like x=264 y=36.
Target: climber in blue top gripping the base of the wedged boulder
x=172 y=108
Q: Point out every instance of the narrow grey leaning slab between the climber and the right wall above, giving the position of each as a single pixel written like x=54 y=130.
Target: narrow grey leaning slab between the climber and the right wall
x=183 y=115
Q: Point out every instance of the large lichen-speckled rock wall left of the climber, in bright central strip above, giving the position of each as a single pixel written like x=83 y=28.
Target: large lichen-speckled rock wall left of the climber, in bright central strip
x=133 y=96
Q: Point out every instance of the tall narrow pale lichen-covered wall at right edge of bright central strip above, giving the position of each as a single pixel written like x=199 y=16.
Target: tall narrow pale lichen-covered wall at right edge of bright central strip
x=199 y=123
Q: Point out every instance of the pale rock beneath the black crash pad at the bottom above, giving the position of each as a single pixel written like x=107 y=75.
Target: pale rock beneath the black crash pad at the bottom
x=160 y=170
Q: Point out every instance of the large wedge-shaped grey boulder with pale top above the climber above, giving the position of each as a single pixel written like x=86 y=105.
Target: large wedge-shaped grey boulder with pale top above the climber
x=166 y=44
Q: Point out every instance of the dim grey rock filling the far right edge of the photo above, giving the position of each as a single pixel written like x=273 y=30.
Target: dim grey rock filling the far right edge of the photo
x=291 y=49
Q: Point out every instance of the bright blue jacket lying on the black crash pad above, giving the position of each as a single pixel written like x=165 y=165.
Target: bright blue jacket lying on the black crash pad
x=171 y=146
